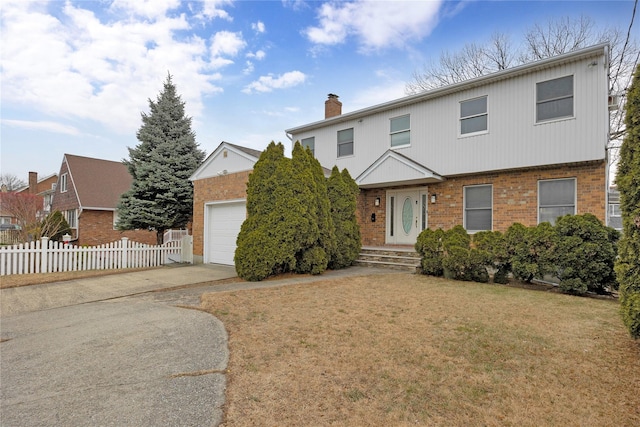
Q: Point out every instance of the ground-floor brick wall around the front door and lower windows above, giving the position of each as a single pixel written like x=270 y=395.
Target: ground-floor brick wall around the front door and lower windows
x=515 y=198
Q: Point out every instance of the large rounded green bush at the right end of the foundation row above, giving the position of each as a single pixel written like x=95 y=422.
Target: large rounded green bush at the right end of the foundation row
x=585 y=254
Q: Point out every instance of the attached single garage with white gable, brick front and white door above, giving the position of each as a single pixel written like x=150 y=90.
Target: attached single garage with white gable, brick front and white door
x=219 y=202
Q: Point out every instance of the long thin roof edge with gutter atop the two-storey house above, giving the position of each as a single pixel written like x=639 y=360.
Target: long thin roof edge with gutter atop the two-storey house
x=588 y=52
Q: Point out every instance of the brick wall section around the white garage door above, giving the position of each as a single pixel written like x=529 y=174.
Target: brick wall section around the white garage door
x=219 y=188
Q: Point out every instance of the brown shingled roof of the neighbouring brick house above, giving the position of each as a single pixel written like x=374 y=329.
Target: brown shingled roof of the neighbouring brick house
x=98 y=183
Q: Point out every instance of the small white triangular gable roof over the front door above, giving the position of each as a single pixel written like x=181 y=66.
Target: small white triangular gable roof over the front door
x=397 y=169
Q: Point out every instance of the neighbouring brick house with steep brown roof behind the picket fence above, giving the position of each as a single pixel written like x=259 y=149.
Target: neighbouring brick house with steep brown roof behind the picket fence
x=87 y=194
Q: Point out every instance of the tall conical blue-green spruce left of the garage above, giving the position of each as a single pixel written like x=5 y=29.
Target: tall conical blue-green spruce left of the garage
x=161 y=196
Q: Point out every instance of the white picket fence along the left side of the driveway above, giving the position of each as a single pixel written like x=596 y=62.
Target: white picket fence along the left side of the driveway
x=47 y=256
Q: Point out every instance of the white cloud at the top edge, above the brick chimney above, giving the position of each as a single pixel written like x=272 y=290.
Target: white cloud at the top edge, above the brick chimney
x=376 y=25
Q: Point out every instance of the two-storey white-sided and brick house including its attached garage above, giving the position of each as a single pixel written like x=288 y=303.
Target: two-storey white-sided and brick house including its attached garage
x=526 y=144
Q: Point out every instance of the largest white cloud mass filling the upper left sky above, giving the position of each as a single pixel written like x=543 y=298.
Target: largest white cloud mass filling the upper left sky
x=77 y=66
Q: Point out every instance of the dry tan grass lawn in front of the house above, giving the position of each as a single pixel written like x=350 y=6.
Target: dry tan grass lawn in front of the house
x=401 y=349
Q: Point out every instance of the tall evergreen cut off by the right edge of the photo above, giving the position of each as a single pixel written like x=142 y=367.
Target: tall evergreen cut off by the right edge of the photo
x=628 y=180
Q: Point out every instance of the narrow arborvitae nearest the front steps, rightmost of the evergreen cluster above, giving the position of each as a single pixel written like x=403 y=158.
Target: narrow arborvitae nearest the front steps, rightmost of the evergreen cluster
x=343 y=192
